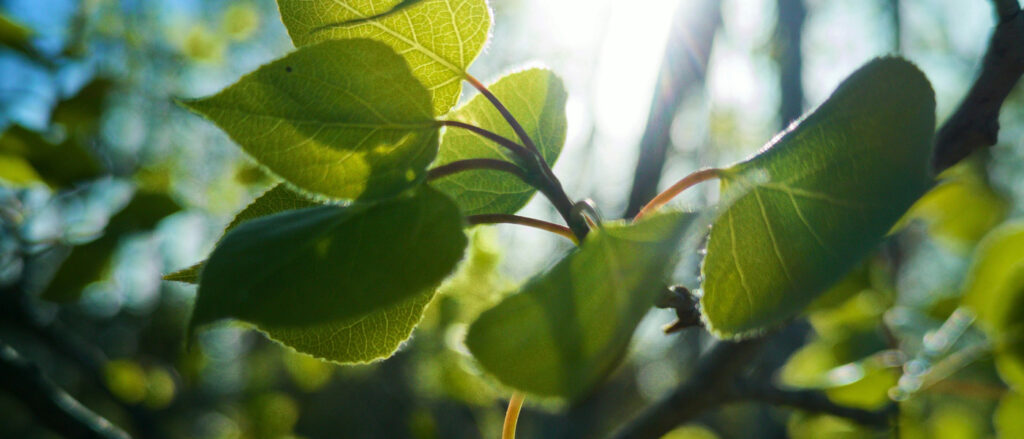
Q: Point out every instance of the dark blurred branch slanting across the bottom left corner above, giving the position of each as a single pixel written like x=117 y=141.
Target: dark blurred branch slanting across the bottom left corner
x=52 y=406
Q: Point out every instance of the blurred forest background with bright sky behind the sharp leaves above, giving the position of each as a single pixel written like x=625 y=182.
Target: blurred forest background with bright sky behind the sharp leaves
x=106 y=185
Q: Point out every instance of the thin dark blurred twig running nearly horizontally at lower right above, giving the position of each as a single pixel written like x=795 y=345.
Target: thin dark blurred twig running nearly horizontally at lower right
x=816 y=403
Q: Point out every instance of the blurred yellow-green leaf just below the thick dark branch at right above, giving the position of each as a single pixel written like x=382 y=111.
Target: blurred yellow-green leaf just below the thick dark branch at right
x=963 y=208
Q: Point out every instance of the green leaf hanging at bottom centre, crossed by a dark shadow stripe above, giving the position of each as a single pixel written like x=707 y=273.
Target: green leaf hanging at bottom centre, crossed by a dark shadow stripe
x=567 y=330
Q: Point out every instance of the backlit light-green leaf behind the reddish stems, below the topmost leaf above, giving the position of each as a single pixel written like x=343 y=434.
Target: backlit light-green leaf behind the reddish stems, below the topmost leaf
x=537 y=99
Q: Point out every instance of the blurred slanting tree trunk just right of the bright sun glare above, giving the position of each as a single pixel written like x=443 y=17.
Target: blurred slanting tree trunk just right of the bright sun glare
x=684 y=69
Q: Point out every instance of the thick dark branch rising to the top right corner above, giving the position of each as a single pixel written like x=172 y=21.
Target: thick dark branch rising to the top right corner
x=976 y=122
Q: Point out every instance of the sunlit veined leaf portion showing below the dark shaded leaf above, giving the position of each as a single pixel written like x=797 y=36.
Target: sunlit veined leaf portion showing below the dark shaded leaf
x=374 y=336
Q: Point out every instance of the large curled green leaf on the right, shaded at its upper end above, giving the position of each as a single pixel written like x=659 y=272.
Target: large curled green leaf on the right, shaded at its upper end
x=819 y=199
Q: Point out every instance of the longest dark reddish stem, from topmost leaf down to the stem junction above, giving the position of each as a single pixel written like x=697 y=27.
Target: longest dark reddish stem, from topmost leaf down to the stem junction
x=549 y=185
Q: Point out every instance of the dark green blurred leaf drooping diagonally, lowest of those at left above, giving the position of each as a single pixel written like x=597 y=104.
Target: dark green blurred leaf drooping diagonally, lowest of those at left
x=90 y=262
